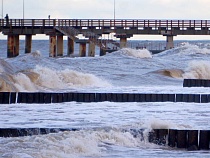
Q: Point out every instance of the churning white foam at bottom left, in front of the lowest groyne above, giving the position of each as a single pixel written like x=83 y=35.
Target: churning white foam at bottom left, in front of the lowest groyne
x=66 y=144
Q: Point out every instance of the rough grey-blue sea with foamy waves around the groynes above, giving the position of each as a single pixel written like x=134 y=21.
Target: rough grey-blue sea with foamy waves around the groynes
x=104 y=128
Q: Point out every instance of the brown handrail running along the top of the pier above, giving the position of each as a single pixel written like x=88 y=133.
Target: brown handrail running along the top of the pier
x=125 y=23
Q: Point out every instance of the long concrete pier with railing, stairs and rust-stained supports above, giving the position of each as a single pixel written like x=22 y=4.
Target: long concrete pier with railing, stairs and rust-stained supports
x=92 y=30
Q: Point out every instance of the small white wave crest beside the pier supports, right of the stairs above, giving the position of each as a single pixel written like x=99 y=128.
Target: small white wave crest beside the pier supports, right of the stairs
x=138 y=53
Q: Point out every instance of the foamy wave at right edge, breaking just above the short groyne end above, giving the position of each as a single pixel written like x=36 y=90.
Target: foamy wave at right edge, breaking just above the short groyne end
x=197 y=70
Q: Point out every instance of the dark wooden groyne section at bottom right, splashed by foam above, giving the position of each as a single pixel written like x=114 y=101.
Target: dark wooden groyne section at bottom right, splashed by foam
x=184 y=139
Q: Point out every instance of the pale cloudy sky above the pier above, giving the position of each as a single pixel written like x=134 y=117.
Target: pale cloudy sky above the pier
x=104 y=9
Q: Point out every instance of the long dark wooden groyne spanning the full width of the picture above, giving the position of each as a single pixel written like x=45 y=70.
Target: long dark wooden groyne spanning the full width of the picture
x=48 y=98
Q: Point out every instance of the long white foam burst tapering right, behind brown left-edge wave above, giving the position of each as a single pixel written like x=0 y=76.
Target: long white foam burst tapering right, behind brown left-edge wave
x=66 y=79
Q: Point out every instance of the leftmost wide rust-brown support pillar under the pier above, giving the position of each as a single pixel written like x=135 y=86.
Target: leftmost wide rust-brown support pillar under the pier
x=12 y=46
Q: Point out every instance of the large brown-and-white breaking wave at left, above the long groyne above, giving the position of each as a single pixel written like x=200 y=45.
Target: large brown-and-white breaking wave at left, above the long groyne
x=43 y=78
